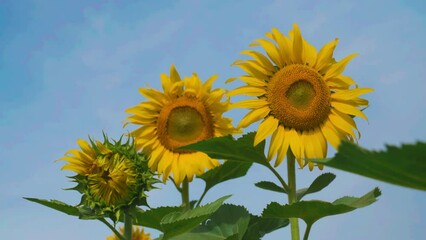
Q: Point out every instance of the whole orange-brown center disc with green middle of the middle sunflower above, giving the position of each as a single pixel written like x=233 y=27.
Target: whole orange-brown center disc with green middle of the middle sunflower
x=182 y=122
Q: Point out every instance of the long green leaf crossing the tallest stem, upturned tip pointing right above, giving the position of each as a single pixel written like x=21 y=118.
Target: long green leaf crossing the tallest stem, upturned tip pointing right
x=311 y=211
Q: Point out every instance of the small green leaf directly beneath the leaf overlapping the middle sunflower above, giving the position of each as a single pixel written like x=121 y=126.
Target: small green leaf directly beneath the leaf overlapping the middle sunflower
x=226 y=171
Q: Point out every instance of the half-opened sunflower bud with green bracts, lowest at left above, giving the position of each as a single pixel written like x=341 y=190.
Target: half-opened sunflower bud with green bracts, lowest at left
x=109 y=175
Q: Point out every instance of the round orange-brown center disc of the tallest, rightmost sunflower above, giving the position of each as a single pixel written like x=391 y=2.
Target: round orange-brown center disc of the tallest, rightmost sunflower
x=299 y=97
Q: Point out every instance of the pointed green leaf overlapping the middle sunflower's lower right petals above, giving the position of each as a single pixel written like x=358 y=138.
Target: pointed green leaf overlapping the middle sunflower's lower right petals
x=228 y=148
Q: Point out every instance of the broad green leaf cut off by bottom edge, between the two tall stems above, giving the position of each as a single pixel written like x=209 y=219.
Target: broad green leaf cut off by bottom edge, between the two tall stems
x=229 y=222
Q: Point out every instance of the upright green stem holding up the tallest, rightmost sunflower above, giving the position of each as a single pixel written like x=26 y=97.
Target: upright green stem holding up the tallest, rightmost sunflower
x=291 y=172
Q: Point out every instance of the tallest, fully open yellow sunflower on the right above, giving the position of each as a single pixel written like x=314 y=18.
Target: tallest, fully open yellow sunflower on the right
x=302 y=97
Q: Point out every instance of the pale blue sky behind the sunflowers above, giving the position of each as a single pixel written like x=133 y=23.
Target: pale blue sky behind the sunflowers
x=68 y=69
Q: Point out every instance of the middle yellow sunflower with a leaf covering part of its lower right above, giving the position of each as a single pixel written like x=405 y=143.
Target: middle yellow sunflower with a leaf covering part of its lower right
x=187 y=111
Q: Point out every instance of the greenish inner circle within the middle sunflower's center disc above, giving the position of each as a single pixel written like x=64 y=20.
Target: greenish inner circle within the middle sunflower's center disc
x=184 y=124
